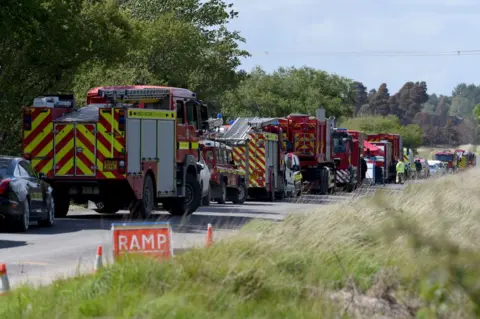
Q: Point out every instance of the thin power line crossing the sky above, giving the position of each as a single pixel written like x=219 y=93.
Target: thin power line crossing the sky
x=372 y=53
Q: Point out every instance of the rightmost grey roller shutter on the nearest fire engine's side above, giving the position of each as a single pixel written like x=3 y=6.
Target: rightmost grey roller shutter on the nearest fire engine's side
x=166 y=153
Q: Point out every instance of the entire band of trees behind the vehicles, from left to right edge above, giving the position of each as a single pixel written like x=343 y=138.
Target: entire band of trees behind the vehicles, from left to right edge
x=73 y=45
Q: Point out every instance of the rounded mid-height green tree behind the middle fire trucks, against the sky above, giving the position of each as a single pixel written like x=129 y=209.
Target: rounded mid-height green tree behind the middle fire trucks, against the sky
x=289 y=90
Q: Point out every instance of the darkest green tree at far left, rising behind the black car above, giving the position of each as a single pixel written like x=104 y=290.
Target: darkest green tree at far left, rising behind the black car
x=42 y=46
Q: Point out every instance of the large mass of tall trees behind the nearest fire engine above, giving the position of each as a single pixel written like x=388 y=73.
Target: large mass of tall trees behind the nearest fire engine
x=73 y=45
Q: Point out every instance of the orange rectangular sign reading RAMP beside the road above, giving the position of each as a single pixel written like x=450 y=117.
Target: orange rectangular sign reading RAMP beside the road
x=151 y=238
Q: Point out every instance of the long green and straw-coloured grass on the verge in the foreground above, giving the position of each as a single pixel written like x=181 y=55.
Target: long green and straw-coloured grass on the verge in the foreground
x=411 y=255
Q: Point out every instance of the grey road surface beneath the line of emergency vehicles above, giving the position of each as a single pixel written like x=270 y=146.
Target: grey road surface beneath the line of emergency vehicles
x=69 y=247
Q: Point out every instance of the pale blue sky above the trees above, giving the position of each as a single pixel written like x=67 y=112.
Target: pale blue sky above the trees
x=299 y=32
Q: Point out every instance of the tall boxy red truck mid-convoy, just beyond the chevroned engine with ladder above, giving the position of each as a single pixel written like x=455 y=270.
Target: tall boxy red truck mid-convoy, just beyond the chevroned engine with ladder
x=310 y=138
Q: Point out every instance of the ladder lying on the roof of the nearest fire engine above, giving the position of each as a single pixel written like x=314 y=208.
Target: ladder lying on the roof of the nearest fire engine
x=134 y=94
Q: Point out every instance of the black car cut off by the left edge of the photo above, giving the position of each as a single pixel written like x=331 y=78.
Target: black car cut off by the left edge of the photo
x=24 y=195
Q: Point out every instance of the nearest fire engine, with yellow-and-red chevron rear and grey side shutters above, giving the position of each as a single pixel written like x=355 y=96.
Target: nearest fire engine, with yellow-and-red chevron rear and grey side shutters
x=130 y=147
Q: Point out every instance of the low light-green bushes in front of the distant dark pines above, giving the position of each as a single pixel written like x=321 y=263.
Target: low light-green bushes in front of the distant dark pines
x=411 y=134
